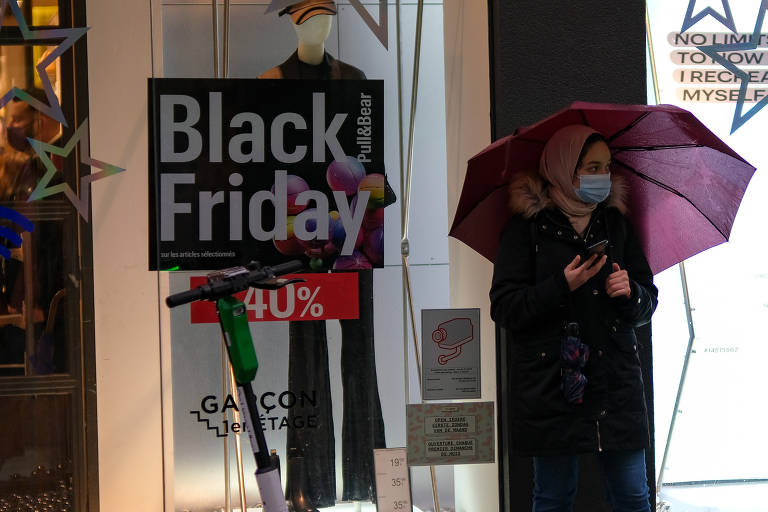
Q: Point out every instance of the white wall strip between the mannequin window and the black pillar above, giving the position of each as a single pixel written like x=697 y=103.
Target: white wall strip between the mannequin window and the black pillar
x=468 y=130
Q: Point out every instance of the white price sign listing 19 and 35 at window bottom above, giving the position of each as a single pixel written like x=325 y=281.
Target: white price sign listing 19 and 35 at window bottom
x=393 y=484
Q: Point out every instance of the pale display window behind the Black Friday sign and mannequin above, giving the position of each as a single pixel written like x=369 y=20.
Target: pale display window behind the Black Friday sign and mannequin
x=204 y=457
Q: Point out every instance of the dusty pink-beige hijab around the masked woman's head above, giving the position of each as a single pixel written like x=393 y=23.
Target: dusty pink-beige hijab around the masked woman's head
x=558 y=165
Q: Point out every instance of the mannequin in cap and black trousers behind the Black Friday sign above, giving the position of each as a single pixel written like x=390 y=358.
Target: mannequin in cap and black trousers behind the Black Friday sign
x=312 y=482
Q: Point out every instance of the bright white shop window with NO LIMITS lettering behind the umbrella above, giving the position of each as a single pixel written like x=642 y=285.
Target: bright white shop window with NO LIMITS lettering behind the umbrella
x=716 y=452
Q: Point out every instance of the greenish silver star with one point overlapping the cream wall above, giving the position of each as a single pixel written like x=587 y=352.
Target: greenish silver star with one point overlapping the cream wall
x=81 y=203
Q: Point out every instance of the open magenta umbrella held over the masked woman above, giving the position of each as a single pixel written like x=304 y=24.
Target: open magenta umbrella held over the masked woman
x=685 y=183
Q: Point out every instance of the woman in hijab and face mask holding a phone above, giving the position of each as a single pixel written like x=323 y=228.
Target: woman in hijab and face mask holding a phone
x=543 y=280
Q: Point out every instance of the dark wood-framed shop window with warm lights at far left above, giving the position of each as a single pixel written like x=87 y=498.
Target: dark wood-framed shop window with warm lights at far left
x=46 y=336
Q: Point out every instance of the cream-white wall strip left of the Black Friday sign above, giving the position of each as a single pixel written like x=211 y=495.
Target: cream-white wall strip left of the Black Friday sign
x=126 y=294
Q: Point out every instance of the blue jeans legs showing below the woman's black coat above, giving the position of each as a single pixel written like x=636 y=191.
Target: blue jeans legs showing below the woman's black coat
x=626 y=486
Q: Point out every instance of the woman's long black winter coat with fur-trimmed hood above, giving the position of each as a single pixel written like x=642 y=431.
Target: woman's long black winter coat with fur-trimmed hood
x=531 y=300
